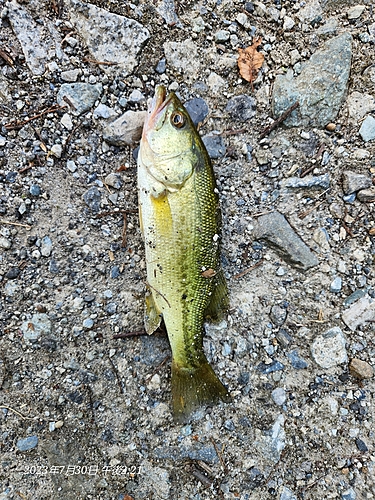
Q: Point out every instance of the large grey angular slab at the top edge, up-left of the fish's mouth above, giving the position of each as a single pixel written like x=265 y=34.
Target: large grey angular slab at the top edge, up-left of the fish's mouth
x=109 y=37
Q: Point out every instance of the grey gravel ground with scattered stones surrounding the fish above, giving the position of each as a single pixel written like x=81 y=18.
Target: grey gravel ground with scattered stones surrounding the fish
x=87 y=415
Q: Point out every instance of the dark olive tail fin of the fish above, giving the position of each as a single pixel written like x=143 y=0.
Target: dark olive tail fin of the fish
x=194 y=387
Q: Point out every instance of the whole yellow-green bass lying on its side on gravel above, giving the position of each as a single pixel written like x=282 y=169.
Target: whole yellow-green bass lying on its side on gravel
x=180 y=221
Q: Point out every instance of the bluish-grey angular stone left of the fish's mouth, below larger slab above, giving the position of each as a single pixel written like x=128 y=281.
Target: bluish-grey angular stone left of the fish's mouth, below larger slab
x=80 y=96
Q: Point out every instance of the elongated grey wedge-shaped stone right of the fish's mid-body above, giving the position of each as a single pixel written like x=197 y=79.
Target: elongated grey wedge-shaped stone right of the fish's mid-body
x=276 y=230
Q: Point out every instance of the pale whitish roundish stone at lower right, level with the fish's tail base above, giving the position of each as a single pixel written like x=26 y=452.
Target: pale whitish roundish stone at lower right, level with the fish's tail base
x=328 y=349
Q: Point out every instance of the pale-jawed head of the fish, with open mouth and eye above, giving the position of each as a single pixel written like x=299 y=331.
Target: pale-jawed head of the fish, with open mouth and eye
x=170 y=145
